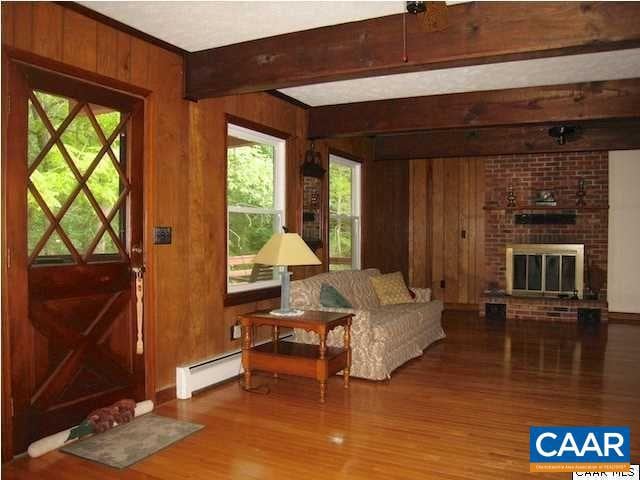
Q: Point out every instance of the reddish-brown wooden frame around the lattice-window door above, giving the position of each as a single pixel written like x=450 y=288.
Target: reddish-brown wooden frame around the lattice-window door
x=11 y=58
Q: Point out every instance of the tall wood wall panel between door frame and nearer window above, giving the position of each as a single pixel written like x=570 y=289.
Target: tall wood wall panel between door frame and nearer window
x=175 y=329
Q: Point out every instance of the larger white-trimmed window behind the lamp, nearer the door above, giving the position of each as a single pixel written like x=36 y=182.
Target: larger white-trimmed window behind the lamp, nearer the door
x=255 y=205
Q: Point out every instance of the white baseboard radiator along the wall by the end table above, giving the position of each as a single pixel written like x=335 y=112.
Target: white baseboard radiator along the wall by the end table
x=196 y=376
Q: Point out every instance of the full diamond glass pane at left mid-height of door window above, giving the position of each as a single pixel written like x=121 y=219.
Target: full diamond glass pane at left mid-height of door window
x=54 y=180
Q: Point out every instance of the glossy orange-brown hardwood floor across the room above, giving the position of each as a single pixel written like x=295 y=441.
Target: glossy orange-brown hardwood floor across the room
x=461 y=411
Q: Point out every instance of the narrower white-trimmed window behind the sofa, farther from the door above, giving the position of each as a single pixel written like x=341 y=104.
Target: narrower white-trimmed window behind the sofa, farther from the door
x=344 y=214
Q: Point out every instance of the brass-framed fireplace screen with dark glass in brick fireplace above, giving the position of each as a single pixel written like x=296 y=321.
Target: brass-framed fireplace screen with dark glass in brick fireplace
x=545 y=269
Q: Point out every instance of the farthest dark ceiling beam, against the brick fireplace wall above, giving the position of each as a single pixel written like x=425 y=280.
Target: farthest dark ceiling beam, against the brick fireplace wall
x=471 y=142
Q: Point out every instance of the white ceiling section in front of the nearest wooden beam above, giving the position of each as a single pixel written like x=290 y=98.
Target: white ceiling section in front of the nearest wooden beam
x=200 y=25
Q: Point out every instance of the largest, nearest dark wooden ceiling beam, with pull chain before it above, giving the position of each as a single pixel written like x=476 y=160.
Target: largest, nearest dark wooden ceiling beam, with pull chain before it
x=477 y=33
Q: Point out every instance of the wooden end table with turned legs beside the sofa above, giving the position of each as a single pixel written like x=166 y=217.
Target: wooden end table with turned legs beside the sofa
x=311 y=361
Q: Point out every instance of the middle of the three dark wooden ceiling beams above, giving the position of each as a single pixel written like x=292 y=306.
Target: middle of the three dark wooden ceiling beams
x=576 y=101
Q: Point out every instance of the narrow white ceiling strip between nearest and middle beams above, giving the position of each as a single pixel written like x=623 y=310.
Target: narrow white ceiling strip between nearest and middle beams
x=613 y=65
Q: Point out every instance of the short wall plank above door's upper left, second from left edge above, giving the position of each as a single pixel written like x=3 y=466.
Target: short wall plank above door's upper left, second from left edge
x=47 y=30
